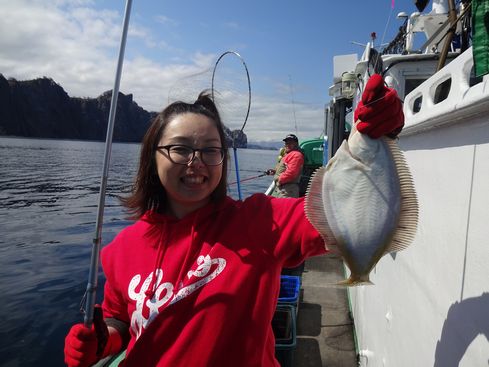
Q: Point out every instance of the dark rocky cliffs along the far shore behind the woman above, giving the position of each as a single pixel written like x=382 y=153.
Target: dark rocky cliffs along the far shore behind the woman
x=40 y=108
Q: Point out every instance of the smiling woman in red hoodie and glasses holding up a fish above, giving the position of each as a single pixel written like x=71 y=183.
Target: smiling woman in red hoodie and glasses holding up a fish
x=195 y=280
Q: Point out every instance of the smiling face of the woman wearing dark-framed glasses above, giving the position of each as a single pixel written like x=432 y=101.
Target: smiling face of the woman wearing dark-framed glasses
x=189 y=186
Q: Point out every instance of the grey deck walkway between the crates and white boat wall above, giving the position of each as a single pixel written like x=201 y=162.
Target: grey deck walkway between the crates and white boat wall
x=324 y=326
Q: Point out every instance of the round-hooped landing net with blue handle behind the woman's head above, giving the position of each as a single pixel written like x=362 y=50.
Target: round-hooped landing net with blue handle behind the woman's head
x=232 y=102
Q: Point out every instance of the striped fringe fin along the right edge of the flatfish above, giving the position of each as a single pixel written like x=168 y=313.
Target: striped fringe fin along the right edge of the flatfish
x=409 y=212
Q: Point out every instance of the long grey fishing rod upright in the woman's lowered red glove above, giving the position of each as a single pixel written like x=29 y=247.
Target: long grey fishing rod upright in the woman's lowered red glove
x=94 y=263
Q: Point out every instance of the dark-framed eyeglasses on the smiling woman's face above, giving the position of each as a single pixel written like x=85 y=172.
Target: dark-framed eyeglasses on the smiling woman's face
x=183 y=154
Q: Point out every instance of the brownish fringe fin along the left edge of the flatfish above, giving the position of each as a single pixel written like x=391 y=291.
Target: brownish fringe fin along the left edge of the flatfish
x=314 y=208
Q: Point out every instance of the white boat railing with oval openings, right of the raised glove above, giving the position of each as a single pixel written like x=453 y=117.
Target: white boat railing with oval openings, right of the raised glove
x=450 y=95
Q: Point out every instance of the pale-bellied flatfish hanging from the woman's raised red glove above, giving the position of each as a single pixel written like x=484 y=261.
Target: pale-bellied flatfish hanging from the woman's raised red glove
x=364 y=203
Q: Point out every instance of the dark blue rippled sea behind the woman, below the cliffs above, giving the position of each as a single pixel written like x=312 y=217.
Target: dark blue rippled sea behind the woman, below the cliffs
x=49 y=193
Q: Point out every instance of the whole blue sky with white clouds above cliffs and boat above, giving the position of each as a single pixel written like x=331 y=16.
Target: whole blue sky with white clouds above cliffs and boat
x=172 y=48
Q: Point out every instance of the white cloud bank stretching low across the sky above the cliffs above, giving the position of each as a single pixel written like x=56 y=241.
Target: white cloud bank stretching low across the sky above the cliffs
x=76 y=45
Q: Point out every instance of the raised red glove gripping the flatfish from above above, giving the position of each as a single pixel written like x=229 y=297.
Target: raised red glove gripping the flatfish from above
x=380 y=110
